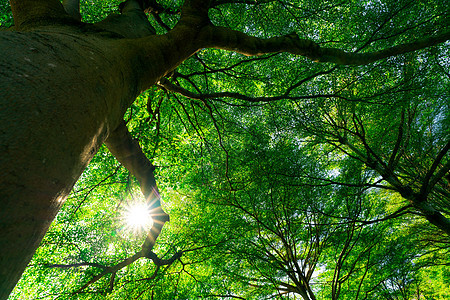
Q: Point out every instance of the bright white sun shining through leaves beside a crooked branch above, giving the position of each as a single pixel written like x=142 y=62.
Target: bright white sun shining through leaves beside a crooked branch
x=137 y=217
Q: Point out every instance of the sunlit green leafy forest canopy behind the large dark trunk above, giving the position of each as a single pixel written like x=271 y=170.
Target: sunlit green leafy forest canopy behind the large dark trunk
x=285 y=177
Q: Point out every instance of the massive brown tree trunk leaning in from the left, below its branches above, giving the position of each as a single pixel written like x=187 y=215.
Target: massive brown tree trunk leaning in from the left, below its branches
x=61 y=95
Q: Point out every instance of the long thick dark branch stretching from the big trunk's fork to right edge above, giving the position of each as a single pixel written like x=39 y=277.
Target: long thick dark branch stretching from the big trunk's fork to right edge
x=232 y=40
